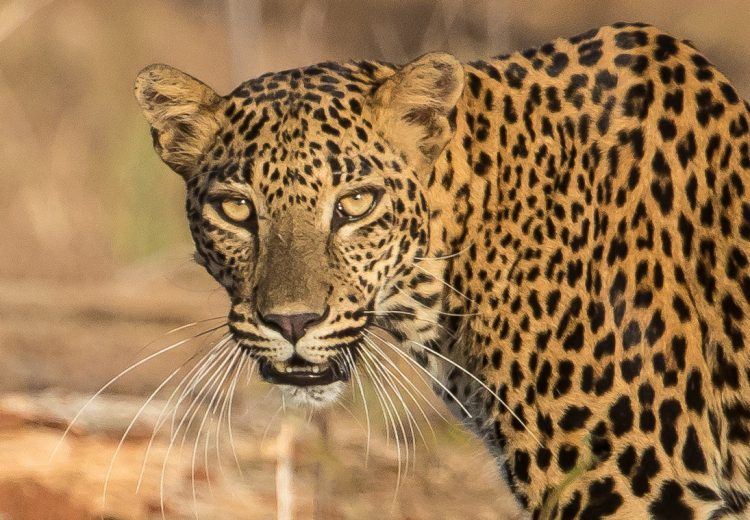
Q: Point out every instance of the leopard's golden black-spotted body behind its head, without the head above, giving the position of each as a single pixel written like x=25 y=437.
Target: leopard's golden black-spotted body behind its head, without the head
x=599 y=188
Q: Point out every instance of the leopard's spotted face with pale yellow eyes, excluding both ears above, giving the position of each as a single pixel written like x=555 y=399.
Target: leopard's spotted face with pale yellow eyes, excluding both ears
x=305 y=232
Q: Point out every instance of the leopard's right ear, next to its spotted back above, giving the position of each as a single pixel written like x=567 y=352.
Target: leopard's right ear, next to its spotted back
x=413 y=107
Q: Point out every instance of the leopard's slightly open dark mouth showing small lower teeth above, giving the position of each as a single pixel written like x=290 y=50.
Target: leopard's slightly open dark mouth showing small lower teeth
x=300 y=372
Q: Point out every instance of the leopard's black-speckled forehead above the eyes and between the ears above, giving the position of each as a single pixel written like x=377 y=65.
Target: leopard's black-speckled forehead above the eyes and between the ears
x=304 y=130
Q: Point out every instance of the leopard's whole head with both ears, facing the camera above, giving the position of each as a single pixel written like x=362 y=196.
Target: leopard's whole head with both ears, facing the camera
x=306 y=202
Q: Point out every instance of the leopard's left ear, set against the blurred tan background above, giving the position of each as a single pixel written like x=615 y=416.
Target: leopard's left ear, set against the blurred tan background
x=183 y=113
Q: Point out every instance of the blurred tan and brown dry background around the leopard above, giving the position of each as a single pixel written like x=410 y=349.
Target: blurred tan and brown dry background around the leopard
x=95 y=257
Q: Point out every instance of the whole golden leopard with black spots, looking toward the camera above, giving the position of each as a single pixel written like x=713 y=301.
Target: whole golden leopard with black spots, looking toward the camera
x=559 y=237
